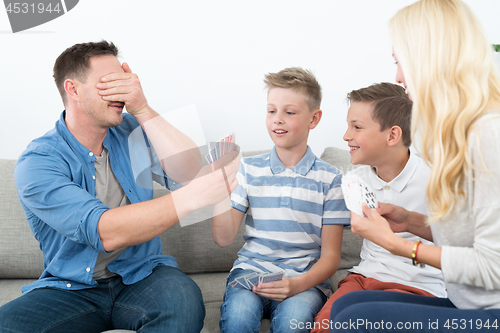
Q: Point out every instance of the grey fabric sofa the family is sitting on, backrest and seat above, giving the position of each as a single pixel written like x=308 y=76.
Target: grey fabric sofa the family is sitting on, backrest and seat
x=21 y=260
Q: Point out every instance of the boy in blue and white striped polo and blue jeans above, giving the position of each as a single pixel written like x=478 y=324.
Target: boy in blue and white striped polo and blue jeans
x=295 y=216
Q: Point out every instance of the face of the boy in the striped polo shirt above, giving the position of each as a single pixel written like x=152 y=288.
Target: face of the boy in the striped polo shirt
x=288 y=118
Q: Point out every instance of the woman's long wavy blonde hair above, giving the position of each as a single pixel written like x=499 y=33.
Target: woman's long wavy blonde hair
x=451 y=75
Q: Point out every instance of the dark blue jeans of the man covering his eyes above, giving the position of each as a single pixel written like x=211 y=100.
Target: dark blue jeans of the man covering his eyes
x=165 y=301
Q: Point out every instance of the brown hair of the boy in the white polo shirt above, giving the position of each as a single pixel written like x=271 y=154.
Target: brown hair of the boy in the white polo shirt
x=391 y=106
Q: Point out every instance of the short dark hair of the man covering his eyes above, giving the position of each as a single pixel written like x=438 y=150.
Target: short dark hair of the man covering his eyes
x=74 y=62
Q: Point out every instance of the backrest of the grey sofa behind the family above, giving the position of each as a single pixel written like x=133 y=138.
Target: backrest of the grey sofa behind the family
x=192 y=246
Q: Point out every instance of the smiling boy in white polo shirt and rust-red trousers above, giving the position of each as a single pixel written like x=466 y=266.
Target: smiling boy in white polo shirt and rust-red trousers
x=379 y=137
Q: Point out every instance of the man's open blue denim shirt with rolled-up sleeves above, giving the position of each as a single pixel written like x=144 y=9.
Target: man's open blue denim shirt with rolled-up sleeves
x=55 y=179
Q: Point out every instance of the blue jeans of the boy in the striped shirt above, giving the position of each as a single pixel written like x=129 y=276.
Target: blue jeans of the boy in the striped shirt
x=243 y=310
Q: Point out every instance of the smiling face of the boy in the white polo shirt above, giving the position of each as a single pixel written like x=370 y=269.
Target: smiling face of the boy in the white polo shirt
x=366 y=142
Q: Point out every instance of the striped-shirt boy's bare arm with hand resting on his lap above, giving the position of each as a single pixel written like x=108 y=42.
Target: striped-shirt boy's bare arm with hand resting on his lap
x=331 y=243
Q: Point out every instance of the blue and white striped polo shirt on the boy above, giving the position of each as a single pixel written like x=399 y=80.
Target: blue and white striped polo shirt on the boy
x=286 y=209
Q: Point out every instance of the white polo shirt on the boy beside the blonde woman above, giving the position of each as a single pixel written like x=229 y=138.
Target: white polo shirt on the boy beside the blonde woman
x=408 y=191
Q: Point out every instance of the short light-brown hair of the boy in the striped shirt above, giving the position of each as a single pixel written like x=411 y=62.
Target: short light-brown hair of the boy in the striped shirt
x=297 y=79
